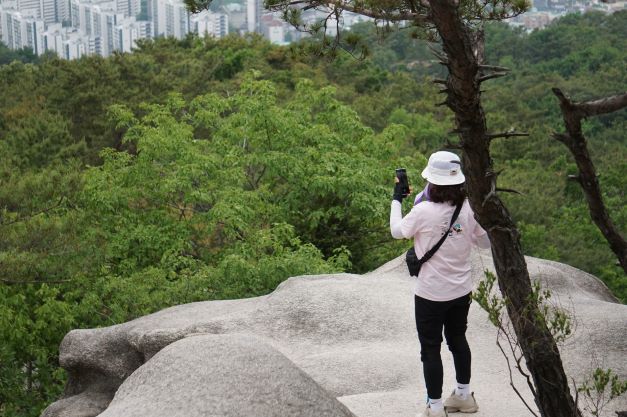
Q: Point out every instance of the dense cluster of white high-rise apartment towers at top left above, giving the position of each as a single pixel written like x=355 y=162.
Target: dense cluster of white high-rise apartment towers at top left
x=75 y=28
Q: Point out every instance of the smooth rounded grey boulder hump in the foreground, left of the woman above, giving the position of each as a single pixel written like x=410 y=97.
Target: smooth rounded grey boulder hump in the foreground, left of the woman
x=222 y=375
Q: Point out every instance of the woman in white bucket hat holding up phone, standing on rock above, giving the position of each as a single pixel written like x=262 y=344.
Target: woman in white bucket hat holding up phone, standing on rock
x=443 y=287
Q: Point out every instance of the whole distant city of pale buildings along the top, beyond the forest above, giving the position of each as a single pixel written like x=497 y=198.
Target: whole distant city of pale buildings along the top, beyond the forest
x=75 y=28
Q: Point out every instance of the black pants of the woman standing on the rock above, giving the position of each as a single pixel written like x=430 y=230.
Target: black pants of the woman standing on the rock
x=431 y=317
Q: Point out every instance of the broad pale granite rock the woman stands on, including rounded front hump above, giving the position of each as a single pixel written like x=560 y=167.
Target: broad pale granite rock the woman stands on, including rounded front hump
x=313 y=341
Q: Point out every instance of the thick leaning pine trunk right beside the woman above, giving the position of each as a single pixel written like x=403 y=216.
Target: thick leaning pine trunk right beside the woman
x=463 y=85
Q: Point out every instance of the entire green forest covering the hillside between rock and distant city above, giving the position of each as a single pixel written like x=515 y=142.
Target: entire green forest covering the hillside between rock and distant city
x=209 y=169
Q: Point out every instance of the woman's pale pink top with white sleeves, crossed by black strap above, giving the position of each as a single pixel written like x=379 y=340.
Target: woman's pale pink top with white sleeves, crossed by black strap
x=446 y=275
